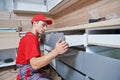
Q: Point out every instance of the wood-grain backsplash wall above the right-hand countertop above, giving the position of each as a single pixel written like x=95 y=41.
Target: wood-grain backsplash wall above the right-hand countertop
x=78 y=13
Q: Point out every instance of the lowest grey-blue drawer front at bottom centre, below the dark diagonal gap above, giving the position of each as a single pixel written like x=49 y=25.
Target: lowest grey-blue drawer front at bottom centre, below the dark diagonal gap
x=68 y=73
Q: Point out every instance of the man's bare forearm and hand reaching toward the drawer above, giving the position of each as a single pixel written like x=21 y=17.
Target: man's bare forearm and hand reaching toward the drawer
x=38 y=62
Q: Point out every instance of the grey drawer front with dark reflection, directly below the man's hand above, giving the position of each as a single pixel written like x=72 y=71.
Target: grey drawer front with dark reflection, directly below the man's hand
x=74 y=59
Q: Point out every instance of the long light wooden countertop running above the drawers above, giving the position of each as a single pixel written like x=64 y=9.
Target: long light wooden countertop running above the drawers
x=113 y=22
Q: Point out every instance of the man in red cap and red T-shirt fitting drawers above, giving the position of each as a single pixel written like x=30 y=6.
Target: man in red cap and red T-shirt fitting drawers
x=29 y=59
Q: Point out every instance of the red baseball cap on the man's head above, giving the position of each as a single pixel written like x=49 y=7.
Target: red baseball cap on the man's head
x=42 y=18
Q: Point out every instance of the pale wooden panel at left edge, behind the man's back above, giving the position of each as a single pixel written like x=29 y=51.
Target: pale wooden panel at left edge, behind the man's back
x=9 y=40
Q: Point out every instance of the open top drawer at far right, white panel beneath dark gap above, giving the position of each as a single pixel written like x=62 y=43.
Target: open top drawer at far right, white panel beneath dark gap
x=104 y=36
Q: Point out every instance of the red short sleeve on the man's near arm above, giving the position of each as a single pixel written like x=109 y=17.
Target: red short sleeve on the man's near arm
x=31 y=47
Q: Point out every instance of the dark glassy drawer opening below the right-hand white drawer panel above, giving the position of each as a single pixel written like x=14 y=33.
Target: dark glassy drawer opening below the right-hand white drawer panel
x=104 y=51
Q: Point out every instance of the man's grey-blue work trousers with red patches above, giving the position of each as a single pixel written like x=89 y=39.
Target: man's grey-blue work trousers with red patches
x=26 y=72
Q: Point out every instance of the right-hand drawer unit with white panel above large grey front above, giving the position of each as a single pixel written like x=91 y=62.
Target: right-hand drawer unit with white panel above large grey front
x=103 y=63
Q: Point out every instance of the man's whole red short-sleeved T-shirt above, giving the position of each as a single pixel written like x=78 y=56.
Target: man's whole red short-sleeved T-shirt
x=28 y=48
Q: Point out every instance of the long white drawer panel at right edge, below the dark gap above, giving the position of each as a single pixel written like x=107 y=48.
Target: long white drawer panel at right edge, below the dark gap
x=112 y=40
